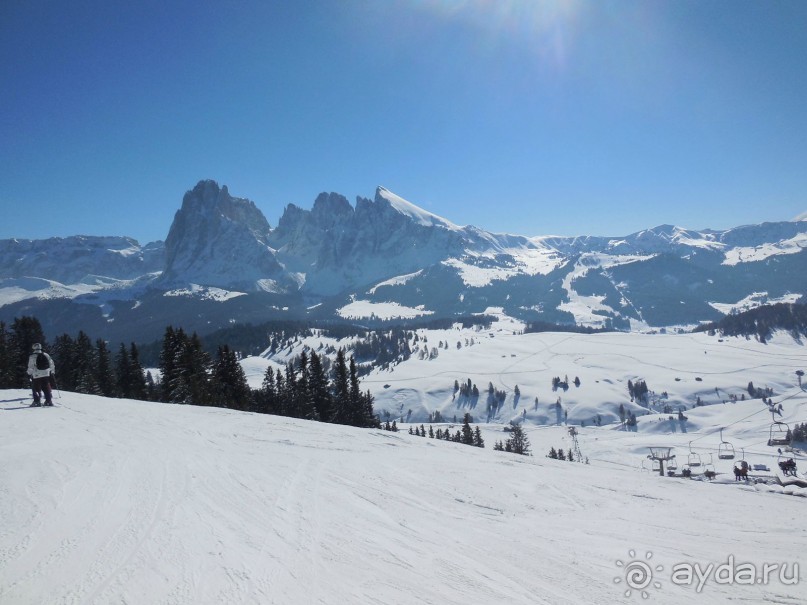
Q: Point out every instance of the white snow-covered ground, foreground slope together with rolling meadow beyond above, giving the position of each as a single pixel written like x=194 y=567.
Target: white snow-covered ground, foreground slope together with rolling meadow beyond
x=115 y=501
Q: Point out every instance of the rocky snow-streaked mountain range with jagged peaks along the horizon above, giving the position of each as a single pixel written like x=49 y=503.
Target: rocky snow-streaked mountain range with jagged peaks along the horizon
x=387 y=259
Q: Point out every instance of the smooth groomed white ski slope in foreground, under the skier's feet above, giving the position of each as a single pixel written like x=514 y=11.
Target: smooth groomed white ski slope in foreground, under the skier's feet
x=115 y=501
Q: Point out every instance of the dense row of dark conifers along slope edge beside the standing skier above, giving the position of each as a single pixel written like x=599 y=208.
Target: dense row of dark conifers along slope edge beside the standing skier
x=190 y=375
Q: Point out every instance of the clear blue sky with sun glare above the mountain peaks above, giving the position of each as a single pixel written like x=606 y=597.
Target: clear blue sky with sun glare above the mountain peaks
x=531 y=117
